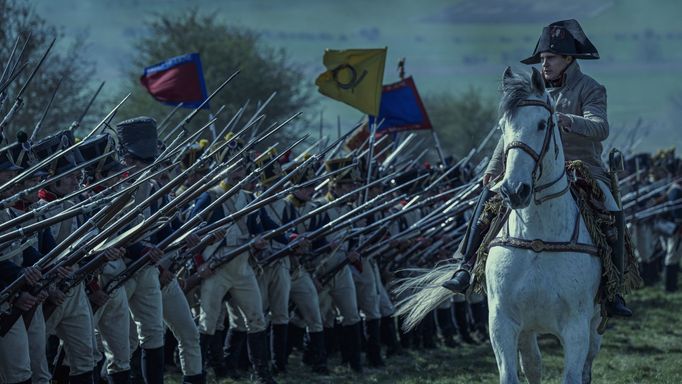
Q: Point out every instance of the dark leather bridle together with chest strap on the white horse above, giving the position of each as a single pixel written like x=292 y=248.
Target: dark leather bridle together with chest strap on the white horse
x=539 y=245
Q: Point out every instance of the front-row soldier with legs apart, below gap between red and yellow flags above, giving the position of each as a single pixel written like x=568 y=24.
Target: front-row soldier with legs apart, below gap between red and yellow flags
x=235 y=277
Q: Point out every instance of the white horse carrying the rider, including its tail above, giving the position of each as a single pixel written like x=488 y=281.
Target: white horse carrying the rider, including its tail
x=542 y=274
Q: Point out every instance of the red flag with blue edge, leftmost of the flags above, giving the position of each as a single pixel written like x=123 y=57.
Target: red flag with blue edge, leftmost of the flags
x=177 y=80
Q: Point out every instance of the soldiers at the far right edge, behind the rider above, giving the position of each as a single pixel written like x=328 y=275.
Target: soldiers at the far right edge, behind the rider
x=652 y=198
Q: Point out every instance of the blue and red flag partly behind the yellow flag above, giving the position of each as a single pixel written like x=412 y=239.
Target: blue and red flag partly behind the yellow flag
x=401 y=108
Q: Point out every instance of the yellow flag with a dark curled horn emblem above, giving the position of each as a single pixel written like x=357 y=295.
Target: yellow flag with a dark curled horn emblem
x=355 y=77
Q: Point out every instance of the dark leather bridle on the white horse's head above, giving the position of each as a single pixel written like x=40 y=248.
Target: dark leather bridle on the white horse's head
x=539 y=157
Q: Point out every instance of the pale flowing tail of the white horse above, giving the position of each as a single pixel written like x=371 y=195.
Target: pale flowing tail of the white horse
x=422 y=293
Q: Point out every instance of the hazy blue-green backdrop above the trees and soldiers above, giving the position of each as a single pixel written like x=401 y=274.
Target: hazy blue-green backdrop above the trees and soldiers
x=449 y=45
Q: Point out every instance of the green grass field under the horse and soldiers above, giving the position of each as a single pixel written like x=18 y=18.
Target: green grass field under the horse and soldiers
x=645 y=349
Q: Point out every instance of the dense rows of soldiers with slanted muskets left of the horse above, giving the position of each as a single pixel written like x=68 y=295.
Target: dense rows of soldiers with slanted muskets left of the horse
x=118 y=249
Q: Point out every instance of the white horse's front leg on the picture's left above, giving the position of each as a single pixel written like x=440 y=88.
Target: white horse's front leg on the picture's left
x=504 y=336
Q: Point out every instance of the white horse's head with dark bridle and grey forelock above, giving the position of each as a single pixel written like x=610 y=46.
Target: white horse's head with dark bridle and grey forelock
x=528 y=128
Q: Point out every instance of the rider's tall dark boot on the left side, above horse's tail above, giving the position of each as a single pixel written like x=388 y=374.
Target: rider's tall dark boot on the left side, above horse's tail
x=467 y=249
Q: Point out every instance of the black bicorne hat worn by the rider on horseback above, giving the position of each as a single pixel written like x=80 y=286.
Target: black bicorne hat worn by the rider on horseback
x=565 y=38
